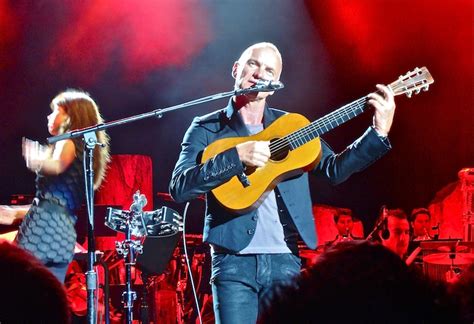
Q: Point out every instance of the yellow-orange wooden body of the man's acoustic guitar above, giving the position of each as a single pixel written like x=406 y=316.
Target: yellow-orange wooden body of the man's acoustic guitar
x=239 y=198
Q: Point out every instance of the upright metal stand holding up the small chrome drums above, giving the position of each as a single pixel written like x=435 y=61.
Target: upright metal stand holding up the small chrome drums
x=129 y=249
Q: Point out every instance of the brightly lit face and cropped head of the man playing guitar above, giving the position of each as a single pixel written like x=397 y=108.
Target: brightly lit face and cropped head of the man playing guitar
x=261 y=63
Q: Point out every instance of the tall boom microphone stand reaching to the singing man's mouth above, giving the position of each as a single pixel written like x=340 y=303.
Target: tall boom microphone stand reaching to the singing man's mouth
x=90 y=141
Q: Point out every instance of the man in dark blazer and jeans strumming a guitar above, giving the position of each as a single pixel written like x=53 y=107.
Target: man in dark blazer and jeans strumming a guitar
x=257 y=249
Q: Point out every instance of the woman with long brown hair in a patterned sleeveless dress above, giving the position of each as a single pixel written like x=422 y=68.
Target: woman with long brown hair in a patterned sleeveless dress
x=47 y=230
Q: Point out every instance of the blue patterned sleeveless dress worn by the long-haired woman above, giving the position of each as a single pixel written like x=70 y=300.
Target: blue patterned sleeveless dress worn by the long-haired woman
x=48 y=228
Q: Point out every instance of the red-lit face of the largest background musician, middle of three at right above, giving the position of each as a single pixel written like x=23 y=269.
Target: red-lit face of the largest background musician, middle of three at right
x=399 y=235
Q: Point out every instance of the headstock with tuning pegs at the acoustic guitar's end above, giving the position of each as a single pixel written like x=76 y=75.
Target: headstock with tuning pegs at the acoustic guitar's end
x=412 y=82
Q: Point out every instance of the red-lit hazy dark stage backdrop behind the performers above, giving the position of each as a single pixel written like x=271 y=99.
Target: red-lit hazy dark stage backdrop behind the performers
x=136 y=56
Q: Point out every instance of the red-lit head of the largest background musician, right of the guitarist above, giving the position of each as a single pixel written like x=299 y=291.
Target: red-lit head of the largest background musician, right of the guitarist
x=395 y=232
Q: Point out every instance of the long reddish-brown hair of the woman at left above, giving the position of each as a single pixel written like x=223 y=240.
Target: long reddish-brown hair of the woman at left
x=84 y=112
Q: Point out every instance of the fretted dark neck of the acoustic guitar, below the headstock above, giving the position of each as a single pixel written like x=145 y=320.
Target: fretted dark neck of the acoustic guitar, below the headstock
x=326 y=123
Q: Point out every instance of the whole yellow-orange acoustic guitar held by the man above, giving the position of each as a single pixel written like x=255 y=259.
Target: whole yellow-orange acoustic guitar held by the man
x=295 y=146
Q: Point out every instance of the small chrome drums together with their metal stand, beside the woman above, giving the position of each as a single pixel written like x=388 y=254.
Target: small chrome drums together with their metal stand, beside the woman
x=163 y=223
